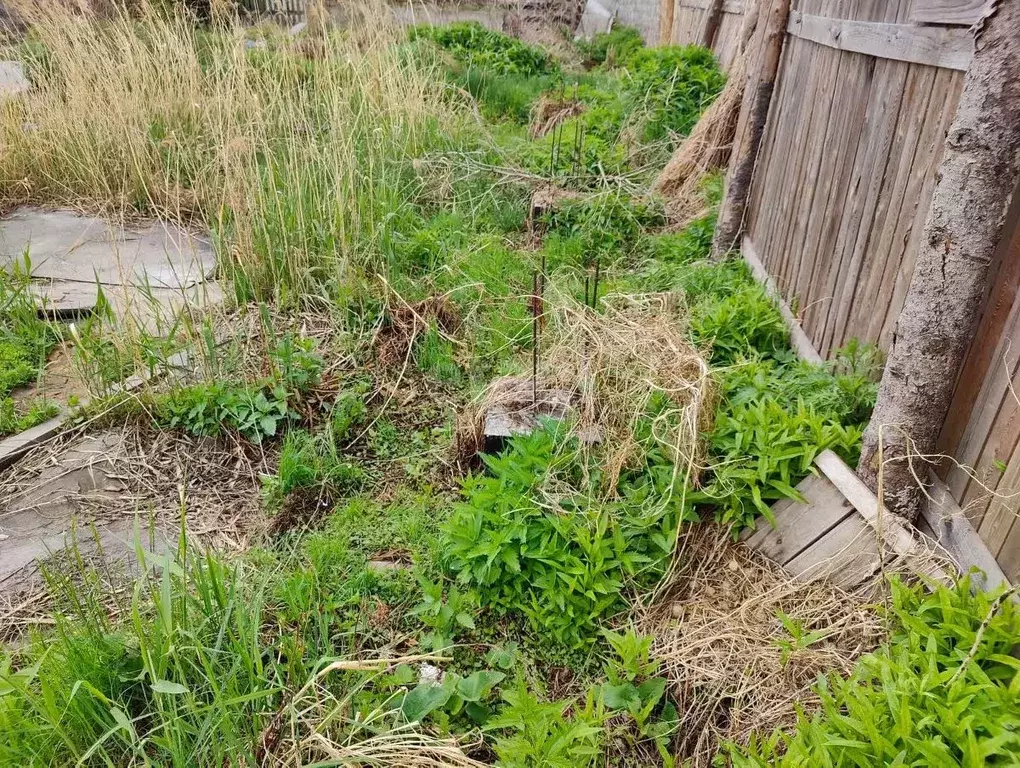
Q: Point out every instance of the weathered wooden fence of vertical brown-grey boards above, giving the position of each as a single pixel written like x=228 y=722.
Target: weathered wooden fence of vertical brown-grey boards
x=865 y=95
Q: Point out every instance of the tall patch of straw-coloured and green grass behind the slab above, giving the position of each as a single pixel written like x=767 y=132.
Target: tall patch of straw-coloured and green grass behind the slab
x=296 y=152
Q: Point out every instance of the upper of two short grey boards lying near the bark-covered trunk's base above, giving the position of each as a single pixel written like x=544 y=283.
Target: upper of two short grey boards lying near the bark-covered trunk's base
x=801 y=525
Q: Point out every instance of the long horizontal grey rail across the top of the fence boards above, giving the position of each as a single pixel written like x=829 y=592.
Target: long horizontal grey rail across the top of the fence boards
x=949 y=48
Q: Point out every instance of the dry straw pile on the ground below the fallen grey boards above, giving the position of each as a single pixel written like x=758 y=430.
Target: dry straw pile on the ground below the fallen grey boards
x=722 y=644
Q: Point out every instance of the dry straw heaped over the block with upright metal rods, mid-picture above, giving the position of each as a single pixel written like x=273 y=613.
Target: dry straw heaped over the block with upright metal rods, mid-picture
x=615 y=363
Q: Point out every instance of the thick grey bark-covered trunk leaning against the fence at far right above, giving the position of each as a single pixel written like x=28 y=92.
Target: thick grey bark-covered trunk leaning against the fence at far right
x=975 y=185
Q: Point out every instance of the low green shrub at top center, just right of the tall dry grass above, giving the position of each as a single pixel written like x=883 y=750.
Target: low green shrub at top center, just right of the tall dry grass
x=478 y=46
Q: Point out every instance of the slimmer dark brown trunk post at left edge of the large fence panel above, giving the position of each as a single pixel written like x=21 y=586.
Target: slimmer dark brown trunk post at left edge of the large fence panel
x=757 y=97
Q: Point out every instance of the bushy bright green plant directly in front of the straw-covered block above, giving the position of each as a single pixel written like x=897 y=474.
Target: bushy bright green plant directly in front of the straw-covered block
x=562 y=561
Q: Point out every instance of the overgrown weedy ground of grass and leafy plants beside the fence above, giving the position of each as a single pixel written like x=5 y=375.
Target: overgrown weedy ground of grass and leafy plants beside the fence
x=405 y=605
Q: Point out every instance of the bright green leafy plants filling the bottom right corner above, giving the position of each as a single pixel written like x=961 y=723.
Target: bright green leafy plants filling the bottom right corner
x=943 y=693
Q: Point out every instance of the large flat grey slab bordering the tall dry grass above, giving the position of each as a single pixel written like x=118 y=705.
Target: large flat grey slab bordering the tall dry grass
x=69 y=248
